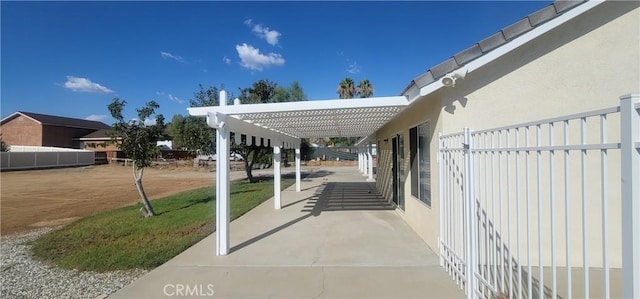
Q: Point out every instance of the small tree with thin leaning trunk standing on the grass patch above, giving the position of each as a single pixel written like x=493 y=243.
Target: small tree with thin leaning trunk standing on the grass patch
x=137 y=140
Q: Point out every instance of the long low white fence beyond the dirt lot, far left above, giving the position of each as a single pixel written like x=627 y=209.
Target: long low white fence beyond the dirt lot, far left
x=34 y=157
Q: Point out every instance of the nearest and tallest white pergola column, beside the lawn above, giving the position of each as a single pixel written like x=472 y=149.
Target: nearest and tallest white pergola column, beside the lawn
x=222 y=186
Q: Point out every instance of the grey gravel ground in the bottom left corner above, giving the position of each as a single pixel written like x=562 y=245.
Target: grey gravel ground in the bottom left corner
x=23 y=277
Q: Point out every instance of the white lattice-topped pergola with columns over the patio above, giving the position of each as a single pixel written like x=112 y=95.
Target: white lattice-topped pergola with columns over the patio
x=282 y=125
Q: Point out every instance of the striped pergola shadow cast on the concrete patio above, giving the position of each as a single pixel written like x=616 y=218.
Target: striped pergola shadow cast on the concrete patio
x=331 y=197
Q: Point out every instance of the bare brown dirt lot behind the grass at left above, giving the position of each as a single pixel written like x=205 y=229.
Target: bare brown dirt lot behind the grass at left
x=37 y=198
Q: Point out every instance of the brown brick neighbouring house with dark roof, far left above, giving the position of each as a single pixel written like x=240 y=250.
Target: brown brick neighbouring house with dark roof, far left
x=27 y=128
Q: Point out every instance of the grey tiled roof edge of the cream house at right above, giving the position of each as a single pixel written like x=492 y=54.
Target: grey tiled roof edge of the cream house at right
x=491 y=43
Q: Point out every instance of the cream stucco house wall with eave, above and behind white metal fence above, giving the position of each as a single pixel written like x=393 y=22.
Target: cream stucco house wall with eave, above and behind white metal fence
x=585 y=64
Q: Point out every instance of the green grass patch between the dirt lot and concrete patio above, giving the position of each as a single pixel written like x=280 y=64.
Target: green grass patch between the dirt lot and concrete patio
x=123 y=239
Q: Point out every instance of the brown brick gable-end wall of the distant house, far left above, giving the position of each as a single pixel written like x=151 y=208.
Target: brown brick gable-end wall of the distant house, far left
x=21 y=131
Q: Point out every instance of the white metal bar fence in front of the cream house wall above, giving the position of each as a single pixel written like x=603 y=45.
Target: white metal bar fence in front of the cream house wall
x=544 y=209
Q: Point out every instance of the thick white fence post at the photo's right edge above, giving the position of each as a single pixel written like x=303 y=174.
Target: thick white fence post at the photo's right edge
x=630 y=168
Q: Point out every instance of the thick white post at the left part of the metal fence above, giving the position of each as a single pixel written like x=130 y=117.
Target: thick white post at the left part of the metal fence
x=470 y=216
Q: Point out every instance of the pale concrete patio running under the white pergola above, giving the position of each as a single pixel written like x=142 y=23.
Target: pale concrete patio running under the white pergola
x=337 y=238
